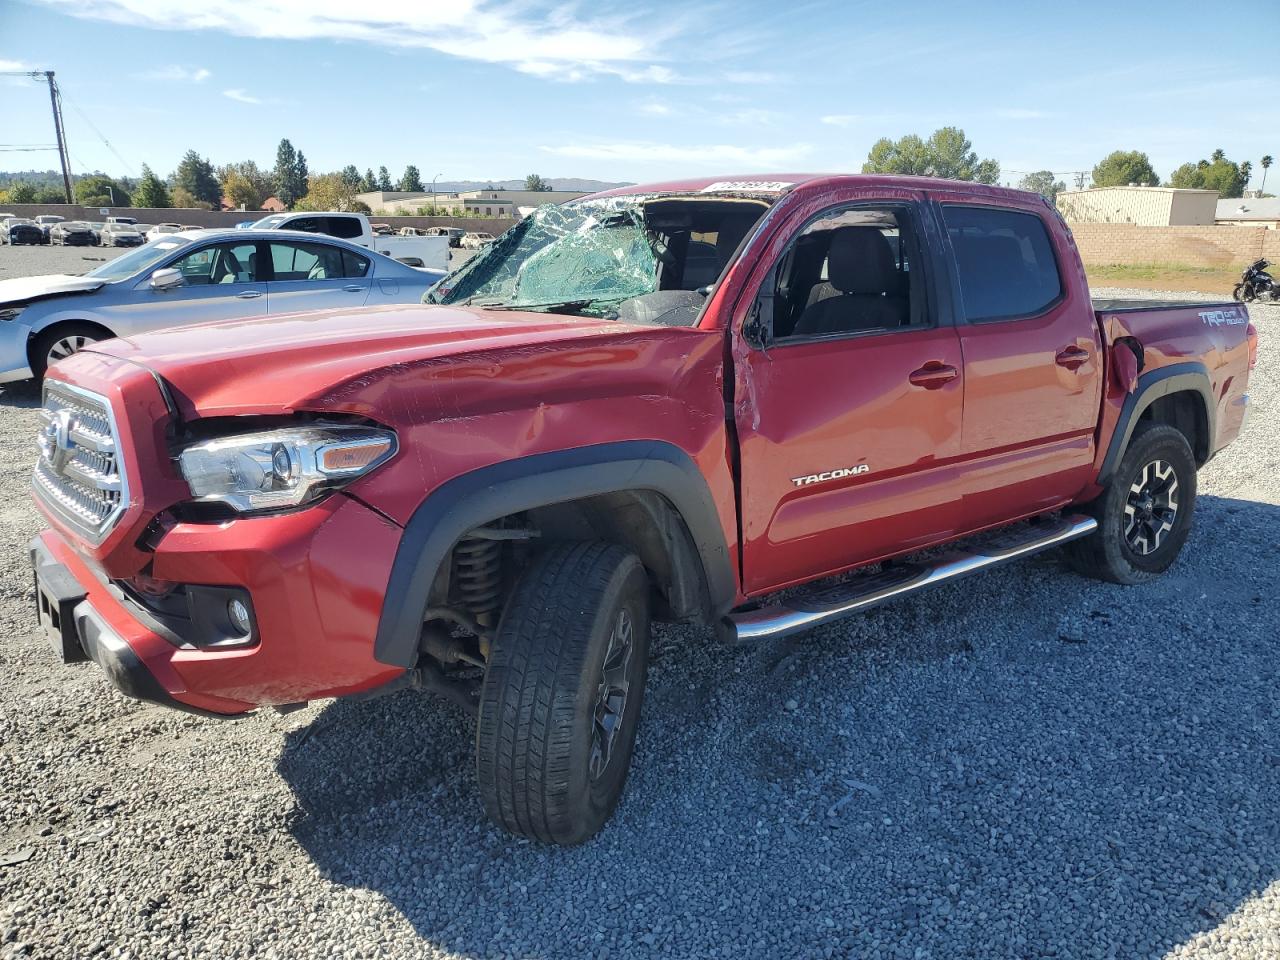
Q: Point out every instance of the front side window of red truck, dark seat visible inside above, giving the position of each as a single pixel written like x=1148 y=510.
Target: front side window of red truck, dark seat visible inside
x=852 y=271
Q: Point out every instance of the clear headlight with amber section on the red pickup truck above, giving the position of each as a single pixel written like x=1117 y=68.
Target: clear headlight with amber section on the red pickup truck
x=287 y=468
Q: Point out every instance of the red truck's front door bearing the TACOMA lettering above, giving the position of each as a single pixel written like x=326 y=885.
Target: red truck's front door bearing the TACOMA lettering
x=849 y=417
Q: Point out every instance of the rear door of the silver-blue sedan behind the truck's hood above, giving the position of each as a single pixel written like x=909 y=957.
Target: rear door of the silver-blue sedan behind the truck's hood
x=317 y=276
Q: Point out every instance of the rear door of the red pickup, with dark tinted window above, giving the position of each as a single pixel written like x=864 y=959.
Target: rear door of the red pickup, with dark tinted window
x=1032 y=359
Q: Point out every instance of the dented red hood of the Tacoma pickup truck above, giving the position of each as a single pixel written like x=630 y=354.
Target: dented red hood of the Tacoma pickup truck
x=287 y=363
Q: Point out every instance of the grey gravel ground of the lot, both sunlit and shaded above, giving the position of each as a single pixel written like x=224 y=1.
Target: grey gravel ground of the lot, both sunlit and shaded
x=1028 y=765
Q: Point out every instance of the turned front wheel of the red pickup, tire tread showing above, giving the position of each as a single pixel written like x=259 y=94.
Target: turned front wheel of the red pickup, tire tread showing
x=561 y=697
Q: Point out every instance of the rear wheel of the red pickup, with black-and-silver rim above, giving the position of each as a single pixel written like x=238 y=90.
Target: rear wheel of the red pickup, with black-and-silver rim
x=1146 y=513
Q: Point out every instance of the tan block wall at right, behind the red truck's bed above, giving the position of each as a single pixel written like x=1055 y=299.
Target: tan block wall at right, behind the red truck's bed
x=1194 y=246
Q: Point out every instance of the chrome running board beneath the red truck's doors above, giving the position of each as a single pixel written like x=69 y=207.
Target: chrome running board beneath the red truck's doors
x=815 y=607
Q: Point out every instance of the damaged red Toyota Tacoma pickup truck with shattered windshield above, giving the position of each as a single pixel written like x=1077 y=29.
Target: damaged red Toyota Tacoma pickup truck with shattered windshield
x=666 y=403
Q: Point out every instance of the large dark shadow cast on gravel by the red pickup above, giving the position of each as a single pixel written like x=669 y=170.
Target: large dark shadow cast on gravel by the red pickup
x=1025 y=765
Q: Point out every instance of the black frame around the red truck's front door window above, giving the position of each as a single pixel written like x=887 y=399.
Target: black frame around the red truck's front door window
x=916 y=214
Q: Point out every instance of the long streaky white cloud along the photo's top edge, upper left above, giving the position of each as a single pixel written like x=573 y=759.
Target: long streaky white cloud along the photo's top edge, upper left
x=542 y=40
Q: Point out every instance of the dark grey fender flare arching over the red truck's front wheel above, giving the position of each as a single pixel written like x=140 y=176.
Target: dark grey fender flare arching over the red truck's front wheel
x=540 y=481
